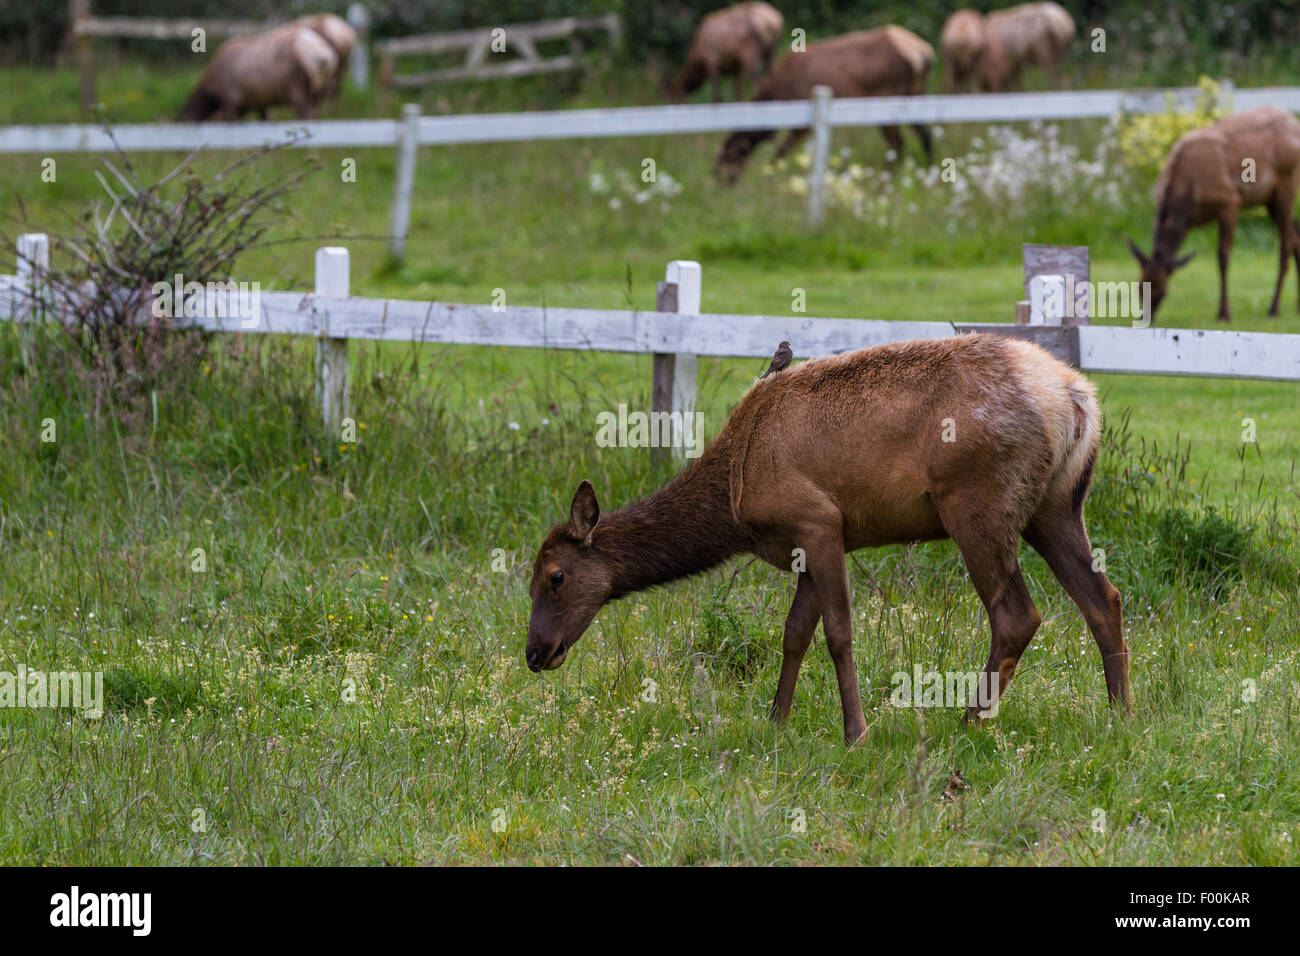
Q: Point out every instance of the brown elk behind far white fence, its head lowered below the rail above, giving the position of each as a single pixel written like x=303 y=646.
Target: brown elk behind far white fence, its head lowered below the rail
x=886 y=62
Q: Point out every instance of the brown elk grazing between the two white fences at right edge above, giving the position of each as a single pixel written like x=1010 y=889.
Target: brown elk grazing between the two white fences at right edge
x=1214 y=174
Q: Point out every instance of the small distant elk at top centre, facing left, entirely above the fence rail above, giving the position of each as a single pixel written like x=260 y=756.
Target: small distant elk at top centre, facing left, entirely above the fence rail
x=733 y=42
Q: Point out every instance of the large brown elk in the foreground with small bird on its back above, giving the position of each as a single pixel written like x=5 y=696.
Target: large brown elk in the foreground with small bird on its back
x=981 y=439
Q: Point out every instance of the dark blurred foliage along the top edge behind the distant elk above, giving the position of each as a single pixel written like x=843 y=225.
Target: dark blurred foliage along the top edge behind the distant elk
x=1210 y=31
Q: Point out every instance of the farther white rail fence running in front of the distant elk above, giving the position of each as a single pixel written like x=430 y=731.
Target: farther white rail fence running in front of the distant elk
x=822 y=113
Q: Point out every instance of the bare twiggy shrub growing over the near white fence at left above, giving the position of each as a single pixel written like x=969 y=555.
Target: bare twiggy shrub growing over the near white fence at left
x=105 y=267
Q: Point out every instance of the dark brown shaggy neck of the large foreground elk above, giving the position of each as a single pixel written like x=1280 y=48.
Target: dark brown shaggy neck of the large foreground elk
x=682 y=530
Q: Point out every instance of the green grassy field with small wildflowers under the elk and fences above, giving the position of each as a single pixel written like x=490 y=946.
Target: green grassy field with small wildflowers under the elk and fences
x=344 y=682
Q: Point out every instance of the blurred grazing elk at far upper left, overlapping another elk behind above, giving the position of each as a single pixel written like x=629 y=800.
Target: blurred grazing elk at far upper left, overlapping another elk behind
x=285 y=67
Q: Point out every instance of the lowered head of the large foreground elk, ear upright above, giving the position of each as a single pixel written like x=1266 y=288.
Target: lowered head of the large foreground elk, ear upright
x=571 y=583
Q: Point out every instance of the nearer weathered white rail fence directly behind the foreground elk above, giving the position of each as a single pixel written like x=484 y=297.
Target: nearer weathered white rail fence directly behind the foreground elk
x=675 y=335
